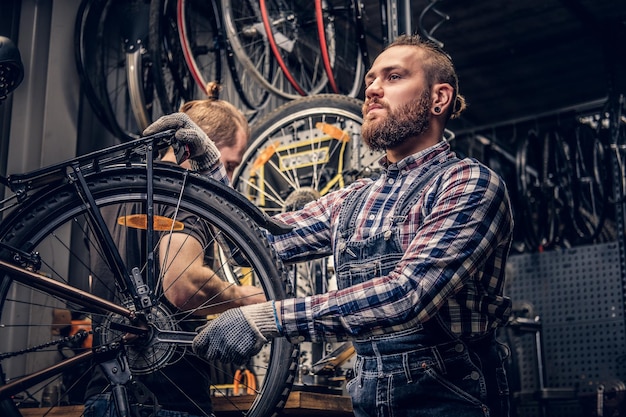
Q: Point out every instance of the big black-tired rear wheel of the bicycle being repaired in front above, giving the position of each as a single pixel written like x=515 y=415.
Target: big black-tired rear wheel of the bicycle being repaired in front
x=41 y=340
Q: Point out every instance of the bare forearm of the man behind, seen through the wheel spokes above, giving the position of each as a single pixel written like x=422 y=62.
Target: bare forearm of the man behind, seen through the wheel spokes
x=189 y=284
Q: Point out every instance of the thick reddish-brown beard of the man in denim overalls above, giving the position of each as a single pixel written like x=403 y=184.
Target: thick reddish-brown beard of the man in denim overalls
x=409 y=120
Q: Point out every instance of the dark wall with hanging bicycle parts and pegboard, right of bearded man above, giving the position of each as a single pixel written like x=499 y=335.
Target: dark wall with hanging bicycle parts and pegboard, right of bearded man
x=566 y=271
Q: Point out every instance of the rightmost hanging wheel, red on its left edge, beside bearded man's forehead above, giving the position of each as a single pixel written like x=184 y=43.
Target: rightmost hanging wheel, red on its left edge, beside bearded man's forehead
x=344 y=64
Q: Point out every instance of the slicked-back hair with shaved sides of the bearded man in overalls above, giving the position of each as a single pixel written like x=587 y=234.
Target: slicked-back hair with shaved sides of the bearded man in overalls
x=438 y=67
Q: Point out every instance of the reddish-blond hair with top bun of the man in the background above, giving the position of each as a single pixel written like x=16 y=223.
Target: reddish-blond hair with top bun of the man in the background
x=219 y=119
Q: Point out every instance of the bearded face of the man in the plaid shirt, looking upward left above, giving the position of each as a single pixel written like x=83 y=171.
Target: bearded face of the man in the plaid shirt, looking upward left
x=397 y=100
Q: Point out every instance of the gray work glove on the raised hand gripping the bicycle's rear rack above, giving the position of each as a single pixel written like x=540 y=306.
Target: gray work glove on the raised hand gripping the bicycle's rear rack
x=203 y=154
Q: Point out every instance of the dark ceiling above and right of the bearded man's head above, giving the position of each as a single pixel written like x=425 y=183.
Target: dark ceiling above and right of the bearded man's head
x=519 y=59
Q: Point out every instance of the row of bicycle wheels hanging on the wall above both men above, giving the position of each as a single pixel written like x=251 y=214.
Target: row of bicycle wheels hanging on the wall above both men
x=140 y=59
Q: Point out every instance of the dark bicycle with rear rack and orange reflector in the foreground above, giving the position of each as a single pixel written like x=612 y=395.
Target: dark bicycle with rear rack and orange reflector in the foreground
x=56 y=210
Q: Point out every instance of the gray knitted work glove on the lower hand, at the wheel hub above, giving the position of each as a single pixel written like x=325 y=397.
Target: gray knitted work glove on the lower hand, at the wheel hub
x=237 y=334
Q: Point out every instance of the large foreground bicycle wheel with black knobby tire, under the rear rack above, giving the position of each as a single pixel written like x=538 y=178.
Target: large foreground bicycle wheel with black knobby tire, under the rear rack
x=57 y=224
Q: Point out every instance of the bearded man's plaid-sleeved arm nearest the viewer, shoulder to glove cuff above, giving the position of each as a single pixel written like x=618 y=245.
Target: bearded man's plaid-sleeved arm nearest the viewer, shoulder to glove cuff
x=467 y=224
